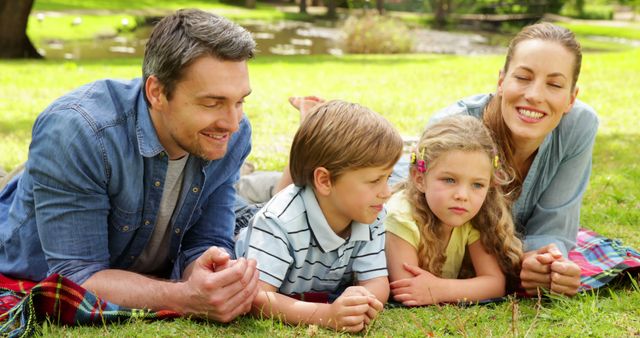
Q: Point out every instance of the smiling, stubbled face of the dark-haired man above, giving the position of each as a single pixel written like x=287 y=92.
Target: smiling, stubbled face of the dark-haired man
x=204 y=110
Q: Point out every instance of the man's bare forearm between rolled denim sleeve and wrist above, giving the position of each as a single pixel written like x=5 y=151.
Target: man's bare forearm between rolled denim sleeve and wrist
x=134 y=290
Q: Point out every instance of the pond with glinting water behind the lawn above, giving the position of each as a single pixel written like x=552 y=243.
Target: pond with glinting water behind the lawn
x=281 y=38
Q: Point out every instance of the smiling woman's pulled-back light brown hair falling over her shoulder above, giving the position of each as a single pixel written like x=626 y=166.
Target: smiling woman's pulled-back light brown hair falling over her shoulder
x=493 y=115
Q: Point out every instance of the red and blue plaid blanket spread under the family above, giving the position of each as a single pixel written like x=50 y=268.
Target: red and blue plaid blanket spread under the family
x=24 y=303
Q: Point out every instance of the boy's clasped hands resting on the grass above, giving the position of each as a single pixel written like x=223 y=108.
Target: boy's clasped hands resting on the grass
x=350 y=312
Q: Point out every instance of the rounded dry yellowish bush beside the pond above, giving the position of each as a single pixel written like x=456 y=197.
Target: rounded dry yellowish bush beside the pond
x=376 y=34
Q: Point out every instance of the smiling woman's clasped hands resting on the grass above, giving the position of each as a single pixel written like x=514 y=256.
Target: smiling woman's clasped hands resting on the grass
x=546 y=268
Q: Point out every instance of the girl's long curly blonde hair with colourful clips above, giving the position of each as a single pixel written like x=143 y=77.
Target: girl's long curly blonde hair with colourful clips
x=493 y=221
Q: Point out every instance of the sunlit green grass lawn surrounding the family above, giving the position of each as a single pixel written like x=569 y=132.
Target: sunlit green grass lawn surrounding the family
x=406 y=89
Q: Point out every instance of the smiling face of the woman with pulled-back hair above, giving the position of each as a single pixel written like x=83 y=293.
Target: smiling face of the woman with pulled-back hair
x=536 y=90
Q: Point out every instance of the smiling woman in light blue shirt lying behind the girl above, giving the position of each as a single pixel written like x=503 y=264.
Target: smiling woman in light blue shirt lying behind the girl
x=546 y=136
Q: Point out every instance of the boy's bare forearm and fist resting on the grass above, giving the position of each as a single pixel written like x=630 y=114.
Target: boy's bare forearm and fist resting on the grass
x=347 y=313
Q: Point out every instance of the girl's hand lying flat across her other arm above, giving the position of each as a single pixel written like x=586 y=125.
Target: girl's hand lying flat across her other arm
x=421 y=289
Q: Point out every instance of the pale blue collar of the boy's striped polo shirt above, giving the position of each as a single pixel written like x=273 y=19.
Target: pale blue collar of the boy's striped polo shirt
x=327 y=239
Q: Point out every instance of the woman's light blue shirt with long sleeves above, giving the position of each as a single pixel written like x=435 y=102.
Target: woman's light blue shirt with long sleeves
x=548 y=208
